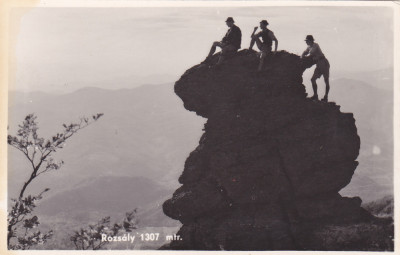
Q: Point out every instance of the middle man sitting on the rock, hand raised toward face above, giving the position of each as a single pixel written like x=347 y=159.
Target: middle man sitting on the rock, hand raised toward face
x=265 y=46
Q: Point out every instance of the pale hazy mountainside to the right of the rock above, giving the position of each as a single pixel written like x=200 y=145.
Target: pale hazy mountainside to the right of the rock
x=372 y=107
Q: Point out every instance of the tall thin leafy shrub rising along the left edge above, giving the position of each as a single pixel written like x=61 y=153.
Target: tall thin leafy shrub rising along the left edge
x=38 y=152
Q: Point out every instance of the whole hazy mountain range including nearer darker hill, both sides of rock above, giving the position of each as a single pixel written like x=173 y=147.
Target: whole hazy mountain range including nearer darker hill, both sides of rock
x=133 y=156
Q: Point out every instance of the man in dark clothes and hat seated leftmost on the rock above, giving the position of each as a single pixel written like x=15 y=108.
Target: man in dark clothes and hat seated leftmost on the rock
x=229 y=44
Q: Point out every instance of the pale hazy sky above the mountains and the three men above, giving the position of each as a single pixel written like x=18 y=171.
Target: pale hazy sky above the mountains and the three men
x=64 y=49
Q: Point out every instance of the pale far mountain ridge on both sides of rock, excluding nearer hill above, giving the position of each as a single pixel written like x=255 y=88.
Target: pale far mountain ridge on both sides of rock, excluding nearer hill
x=151 y=121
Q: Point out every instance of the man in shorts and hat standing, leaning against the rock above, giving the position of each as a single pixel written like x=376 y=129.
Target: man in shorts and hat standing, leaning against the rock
x=313 y=50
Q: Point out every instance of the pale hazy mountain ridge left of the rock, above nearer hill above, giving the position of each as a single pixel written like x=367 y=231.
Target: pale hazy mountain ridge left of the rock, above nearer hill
x=142 y=133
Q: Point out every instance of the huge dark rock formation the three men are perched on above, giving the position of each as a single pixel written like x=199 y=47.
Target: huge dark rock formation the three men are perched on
x=268 y=169
